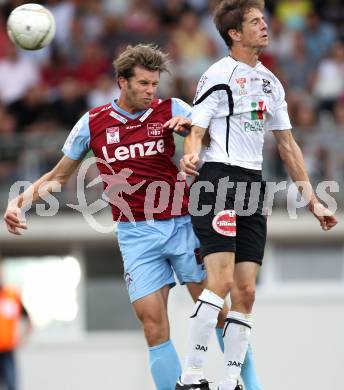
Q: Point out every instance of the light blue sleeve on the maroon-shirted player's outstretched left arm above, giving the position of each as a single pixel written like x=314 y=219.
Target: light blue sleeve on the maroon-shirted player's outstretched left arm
x=78 y=141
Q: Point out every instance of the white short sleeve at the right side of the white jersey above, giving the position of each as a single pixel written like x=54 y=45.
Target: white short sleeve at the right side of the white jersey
x=279 y=120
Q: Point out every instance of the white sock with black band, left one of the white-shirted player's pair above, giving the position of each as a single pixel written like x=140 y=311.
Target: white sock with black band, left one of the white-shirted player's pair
x=203 y=323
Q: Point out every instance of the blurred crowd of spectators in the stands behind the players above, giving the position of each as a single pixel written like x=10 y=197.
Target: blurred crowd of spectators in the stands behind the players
x=43 y=93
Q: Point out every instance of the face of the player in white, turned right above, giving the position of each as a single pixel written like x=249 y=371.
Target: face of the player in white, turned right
x=254 y=32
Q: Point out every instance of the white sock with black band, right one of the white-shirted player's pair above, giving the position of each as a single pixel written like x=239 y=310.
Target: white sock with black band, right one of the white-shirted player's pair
x=236 y=335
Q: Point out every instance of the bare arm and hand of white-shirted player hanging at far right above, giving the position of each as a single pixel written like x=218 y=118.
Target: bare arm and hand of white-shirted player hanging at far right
x=293 y=160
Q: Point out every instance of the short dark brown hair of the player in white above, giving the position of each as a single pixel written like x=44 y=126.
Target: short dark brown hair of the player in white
x=230 y=14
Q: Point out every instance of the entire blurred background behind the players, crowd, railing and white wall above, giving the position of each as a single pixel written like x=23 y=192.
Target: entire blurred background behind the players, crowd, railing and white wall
x=71 y=275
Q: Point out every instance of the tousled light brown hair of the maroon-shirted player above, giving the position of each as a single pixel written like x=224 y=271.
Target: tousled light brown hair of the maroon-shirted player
x=149 y=57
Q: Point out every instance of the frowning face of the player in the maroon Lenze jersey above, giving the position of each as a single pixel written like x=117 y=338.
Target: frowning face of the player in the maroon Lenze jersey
x=141 y=89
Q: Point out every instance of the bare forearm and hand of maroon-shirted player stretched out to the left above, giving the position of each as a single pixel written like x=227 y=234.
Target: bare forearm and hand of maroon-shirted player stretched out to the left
x=47 y=183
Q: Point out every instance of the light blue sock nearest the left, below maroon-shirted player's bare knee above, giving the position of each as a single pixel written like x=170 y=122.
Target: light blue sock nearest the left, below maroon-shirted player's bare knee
x=165 y=366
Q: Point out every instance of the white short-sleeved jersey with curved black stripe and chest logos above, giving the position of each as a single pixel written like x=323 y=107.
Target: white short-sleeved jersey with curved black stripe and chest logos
x=238 y=103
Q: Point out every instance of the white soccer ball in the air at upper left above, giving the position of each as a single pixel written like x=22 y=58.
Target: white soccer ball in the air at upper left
x=31 y=26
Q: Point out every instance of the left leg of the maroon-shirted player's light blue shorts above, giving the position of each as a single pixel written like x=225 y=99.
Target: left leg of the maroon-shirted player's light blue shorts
x=146 y=269
